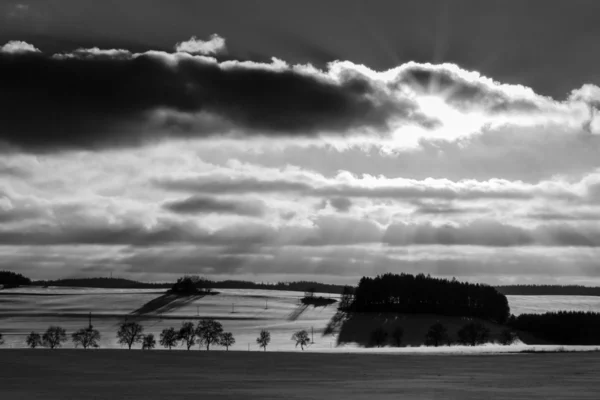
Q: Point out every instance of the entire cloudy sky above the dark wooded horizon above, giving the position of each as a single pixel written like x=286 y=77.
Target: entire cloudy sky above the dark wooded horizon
x=284 y=140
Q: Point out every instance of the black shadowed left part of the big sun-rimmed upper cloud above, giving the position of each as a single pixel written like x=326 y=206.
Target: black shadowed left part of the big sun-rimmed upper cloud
x=97 y=98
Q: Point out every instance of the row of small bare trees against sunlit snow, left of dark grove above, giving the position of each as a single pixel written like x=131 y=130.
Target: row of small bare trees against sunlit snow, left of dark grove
x=208 y=332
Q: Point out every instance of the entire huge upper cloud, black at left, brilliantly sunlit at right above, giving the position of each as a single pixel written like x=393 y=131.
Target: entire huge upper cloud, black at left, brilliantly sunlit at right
x=114 y=98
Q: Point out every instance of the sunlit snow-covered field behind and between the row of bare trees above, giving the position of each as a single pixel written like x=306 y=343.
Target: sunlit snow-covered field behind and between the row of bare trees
x=244 y=312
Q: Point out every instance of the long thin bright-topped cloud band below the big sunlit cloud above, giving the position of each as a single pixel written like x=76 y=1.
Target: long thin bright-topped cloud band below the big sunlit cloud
x=346 y=185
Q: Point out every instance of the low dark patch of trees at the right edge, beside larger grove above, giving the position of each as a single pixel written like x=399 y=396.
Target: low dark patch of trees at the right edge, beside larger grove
x=563 y=327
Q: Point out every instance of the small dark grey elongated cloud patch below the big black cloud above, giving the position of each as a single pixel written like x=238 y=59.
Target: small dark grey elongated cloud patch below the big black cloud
x=207 y=205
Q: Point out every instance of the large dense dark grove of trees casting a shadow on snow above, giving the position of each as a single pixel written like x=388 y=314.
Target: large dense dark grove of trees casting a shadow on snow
x=407 y=293
